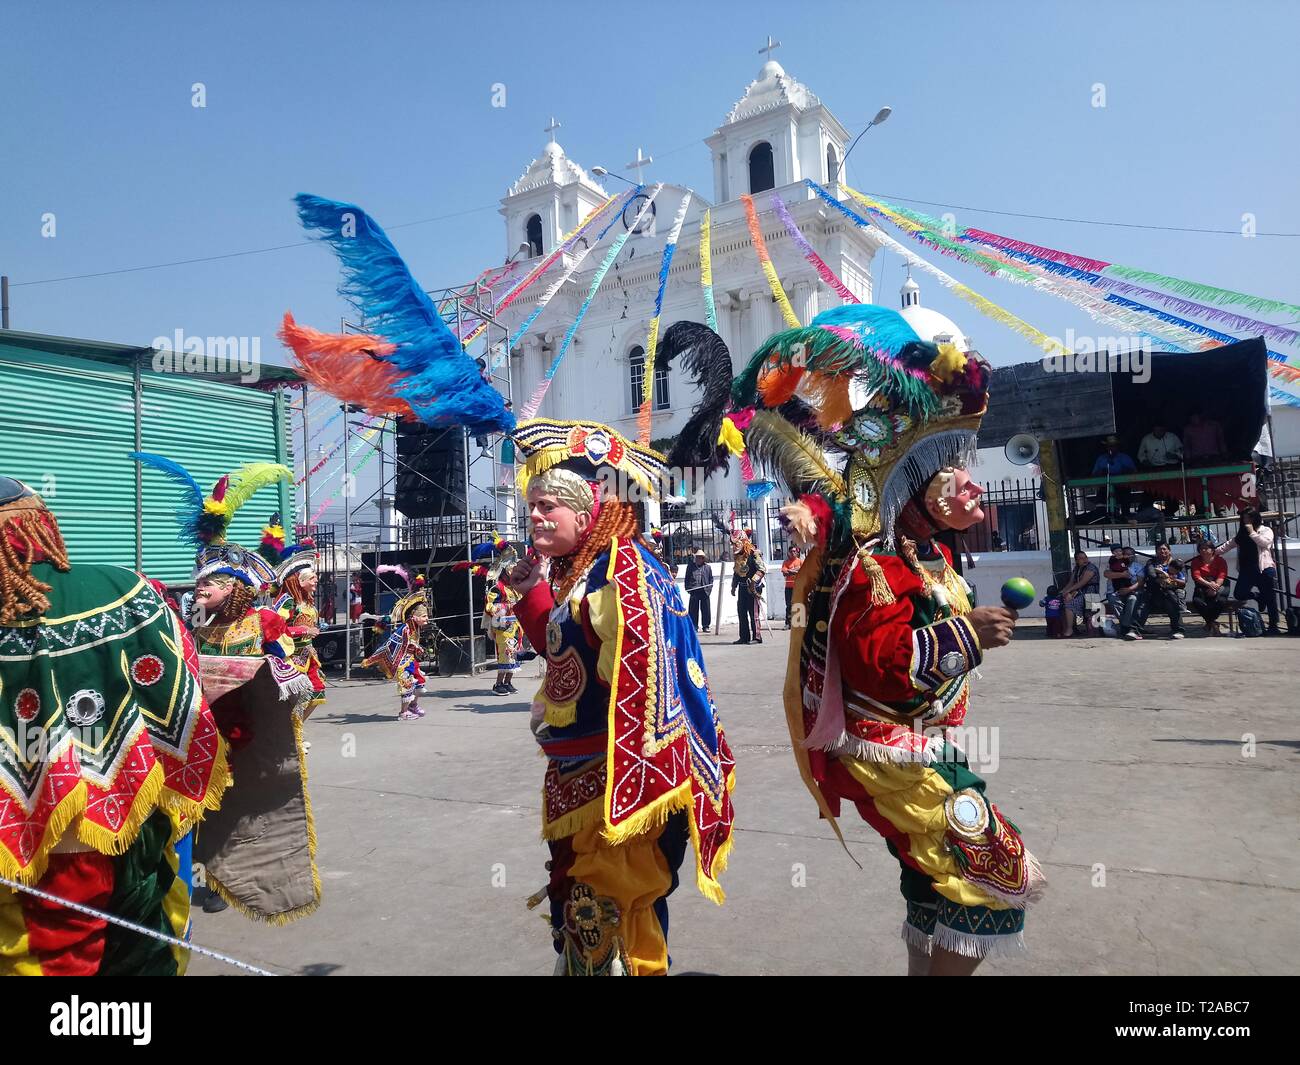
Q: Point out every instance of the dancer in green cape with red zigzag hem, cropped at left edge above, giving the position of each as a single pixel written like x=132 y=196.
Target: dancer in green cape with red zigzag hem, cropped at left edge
x=109 y=757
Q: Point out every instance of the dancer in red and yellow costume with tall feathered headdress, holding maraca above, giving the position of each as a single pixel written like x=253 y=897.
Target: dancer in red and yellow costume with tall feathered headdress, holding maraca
x=881 y=652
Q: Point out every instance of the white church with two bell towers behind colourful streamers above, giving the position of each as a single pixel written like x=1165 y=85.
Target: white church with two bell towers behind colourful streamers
x=778 y=135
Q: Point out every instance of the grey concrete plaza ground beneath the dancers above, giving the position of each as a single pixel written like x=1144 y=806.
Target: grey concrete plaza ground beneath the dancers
x=1119 y=756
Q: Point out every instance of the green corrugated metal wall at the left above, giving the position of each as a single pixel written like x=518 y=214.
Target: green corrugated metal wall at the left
x=67 y=426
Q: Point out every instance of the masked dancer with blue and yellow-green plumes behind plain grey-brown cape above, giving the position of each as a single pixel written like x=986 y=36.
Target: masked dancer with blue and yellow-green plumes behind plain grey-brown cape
x=259 y=851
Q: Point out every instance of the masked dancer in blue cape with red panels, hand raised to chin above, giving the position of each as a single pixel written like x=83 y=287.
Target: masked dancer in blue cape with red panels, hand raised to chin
x=636 y=757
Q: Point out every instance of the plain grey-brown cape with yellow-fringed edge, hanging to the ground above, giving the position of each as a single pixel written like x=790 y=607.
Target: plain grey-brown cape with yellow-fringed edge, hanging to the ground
x=259 y=851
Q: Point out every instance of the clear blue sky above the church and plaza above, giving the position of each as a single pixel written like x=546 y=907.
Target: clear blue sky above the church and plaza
x=391 y=106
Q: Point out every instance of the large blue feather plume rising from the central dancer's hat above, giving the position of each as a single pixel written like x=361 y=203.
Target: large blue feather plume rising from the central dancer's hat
x=441 y=383
